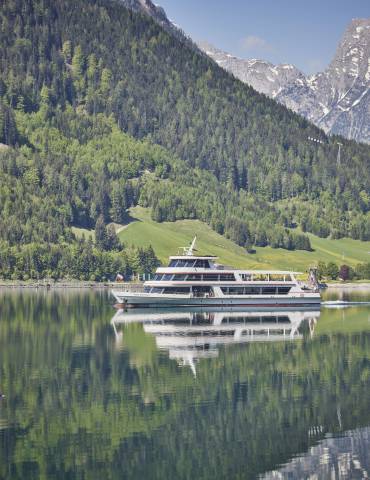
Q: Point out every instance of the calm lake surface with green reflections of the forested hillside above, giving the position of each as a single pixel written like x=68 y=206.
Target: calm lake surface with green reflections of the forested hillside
x=96 y=393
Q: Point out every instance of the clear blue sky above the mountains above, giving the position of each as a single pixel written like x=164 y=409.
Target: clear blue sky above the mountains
x=301 y=32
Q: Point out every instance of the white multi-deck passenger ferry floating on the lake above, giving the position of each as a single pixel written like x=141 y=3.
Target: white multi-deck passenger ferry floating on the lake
x=193 y=280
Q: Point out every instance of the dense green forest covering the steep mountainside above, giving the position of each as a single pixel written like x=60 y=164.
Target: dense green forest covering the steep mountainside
x=101 y=109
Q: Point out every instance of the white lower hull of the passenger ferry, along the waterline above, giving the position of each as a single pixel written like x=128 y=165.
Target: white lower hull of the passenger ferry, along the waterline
x=130 y=299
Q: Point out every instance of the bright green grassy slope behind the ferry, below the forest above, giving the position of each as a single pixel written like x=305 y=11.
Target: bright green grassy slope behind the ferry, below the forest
x=167 y=237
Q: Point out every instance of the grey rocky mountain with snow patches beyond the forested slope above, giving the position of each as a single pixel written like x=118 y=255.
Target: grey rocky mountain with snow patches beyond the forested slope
x=337 y=100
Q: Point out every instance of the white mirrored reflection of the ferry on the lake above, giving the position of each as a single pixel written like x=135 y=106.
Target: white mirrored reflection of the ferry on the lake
x=191 y=335
